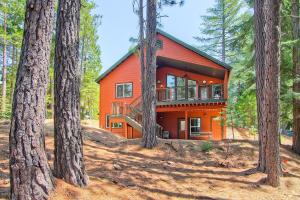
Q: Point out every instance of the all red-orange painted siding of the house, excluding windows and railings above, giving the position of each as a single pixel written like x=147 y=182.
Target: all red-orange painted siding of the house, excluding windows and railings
x=129 y=72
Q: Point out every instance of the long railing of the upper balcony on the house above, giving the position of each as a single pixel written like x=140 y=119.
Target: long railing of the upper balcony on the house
x=202 y=93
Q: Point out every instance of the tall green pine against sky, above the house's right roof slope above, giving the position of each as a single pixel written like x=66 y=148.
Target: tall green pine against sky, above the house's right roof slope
x=220 y=29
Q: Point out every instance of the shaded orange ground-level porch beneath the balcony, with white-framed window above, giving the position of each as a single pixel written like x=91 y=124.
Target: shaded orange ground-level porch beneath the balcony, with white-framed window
x=195 y=124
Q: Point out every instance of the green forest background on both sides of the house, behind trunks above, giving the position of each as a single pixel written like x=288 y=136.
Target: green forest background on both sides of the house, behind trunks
x=226 y=32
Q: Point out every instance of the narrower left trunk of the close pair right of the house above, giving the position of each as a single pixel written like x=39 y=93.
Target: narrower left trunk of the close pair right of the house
x=260 y=79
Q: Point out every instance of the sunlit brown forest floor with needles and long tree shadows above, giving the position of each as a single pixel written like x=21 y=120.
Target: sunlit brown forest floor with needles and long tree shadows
x=175 y=169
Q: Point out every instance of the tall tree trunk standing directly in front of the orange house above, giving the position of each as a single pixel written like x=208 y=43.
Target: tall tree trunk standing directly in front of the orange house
x=149 y=98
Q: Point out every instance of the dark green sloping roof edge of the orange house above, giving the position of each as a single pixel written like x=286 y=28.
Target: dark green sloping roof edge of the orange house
x=167 y=35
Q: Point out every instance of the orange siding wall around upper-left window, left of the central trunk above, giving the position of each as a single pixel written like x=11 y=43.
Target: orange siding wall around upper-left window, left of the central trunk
x=128 y=71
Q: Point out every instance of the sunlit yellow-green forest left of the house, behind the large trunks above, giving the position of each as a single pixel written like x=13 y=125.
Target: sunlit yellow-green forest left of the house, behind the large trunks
x=11 y=34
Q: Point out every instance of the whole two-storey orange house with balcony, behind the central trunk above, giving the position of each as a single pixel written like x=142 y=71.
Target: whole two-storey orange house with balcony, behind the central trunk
x=192 y=91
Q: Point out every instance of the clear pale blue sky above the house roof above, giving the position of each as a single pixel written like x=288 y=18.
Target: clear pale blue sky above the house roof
x=119 y=23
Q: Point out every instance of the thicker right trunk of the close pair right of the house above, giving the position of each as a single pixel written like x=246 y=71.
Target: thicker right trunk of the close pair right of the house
x=272 y=72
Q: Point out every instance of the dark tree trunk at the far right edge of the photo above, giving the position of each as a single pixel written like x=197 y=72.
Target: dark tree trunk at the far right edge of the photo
x=296 y=71
